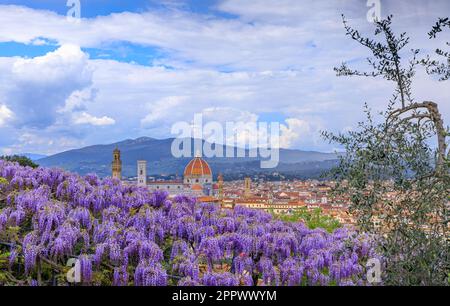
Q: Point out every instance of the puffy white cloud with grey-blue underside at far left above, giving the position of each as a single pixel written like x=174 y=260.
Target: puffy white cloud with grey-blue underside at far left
x=36 y=88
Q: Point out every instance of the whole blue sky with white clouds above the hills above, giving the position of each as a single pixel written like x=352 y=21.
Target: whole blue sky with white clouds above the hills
x=128 y=69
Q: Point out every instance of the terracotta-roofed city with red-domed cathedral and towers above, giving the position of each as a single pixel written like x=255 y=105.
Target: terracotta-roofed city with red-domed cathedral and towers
x=279 y=197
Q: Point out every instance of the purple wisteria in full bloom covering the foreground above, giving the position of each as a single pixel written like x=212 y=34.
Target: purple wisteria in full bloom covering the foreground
x=126 y=235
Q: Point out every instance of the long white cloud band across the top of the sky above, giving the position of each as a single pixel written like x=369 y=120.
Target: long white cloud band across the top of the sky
x=266 y=35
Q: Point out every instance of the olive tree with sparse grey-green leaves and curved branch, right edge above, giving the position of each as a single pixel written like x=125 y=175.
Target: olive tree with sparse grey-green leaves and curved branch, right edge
x=398 y=182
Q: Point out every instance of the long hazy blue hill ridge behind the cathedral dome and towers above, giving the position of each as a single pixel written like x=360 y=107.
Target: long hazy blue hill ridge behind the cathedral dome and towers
x=157 y=152
